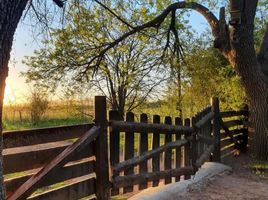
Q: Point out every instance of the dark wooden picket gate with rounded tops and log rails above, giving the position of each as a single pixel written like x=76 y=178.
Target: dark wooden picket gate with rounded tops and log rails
x=155 y=153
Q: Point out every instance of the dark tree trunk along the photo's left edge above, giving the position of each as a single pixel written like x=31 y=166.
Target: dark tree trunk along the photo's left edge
x=11 y=12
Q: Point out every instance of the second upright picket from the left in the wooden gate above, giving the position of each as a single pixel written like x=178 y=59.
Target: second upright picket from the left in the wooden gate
x=129 y=150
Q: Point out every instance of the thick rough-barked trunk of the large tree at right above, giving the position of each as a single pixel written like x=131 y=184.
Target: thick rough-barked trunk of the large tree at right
x=242 y=55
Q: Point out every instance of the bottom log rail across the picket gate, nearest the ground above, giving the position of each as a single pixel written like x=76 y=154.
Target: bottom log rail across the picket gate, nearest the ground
x=122 y=181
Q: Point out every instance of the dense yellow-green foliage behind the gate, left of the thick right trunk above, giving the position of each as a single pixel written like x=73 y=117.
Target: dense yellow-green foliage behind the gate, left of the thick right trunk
x=204 y=73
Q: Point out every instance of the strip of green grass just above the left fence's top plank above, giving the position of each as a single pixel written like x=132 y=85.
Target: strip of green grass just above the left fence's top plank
x=26 y=124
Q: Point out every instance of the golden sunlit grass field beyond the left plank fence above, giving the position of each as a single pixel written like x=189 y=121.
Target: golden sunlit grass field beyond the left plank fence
x=18 y=117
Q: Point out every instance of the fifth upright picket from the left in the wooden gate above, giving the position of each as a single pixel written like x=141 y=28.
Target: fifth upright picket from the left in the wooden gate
x=168 y=152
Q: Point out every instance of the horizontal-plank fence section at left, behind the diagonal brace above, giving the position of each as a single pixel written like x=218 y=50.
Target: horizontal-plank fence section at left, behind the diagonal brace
x=26 y=152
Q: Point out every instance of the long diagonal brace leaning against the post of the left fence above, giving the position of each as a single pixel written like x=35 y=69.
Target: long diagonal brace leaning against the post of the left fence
x=57 y=163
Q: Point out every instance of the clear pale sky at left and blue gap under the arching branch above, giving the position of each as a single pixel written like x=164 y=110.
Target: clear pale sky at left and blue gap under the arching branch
x=24 y=44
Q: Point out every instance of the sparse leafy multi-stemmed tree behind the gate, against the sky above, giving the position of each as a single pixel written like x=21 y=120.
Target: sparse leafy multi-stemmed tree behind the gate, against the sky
x=128 y=74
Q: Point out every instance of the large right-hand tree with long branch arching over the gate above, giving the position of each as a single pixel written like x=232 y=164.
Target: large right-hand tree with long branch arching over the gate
x=236 y=44
